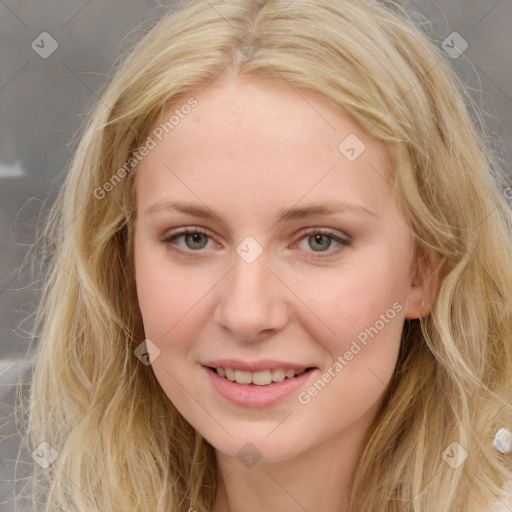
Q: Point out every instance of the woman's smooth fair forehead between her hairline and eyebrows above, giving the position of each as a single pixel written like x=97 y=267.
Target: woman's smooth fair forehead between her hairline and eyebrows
x=252 y=141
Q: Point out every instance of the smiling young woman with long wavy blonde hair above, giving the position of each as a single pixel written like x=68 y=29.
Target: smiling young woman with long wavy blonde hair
x=254 y=366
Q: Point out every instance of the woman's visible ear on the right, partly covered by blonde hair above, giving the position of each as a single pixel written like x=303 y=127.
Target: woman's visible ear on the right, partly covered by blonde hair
x=424 y=281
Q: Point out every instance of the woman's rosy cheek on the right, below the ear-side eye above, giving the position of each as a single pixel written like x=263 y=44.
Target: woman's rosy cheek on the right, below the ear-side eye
x=362 y=322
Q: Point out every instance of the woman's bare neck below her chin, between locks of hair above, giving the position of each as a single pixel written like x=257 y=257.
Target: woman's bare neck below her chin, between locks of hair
x=322 y=474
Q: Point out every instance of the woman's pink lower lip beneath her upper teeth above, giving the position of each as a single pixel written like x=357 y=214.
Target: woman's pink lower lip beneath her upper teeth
x=257 y=396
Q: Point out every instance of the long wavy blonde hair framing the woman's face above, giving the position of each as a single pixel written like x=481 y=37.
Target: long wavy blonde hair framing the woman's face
x=121 y=443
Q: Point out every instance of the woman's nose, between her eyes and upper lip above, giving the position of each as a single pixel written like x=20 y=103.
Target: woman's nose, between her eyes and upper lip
x=253 y=302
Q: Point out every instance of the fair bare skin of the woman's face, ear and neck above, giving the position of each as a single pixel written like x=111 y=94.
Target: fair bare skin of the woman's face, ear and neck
x=249 y=149
